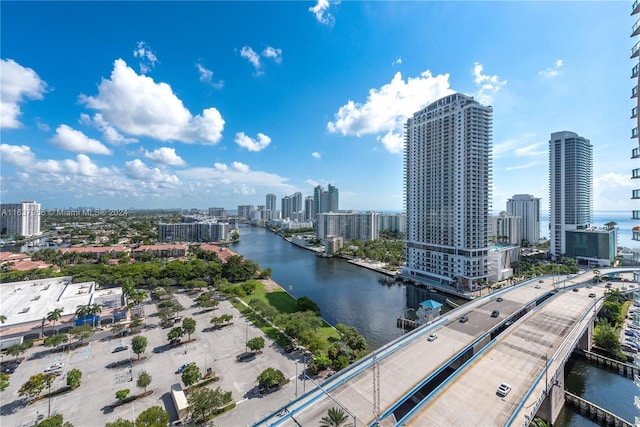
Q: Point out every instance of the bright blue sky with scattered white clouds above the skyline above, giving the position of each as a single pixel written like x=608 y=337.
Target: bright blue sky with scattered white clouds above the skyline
x=162 y=104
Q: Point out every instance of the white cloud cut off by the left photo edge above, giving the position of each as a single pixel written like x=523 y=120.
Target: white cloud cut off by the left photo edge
x=17 y=83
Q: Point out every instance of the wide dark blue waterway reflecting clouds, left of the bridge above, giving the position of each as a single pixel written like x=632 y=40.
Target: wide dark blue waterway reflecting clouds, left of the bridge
x=355 y=296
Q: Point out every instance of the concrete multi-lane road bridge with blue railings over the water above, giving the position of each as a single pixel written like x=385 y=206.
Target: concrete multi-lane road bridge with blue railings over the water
x=452 y=380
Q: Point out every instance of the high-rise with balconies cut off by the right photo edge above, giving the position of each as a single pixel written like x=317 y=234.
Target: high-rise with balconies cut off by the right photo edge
x=635 y=137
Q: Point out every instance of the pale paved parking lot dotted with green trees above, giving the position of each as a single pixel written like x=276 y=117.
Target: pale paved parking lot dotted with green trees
x=216 y=349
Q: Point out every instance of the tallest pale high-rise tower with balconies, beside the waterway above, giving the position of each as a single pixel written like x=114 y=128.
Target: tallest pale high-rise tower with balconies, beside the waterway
x=447 y=192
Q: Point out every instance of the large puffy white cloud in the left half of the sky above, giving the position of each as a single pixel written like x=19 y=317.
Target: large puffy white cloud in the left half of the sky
x=136 y=105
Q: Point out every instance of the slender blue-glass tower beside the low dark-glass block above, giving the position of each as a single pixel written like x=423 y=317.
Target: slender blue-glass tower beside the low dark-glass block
x=570 y=187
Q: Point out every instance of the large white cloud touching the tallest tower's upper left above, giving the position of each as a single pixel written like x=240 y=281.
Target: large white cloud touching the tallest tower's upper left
x=387 y=108
